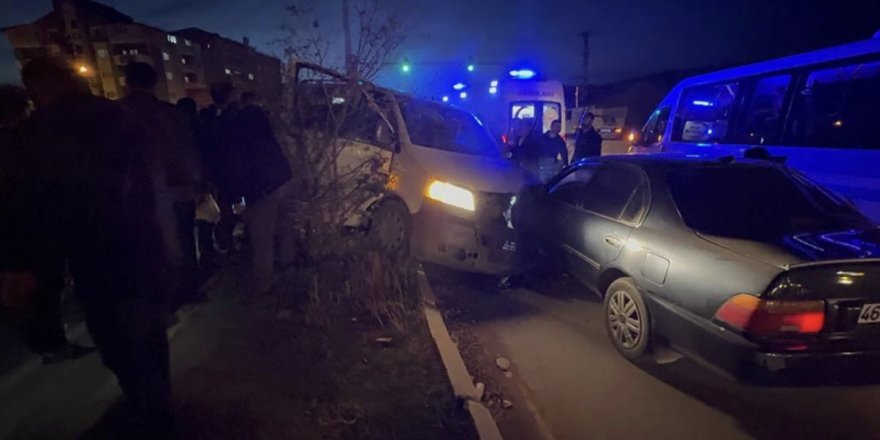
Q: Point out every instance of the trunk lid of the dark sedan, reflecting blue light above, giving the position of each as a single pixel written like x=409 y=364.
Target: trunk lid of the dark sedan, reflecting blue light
x=806 y=247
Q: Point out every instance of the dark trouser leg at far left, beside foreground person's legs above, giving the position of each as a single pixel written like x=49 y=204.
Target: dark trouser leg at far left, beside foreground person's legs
x=41 y=326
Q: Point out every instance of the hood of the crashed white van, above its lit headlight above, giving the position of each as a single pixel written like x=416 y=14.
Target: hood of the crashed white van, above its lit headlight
x=477 y=173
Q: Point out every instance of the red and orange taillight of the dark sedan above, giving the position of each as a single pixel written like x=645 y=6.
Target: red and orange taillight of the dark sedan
x=761 y=317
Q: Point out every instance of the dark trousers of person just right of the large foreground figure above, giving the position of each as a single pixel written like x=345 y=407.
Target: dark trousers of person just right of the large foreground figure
x=185 y=217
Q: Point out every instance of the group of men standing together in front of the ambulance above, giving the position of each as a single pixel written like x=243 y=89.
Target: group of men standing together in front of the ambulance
x=545 y=155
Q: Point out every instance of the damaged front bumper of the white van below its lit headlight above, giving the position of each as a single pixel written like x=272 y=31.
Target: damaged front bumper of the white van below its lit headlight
x=482 y=244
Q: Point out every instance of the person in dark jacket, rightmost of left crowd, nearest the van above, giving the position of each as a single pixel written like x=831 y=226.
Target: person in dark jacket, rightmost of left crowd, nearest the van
x=255 y=167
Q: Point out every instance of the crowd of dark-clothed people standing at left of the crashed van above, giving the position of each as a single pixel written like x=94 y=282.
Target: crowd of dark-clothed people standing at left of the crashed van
x=105 y=193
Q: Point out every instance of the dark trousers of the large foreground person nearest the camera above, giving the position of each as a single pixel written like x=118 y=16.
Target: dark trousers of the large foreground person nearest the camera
x=129 y=333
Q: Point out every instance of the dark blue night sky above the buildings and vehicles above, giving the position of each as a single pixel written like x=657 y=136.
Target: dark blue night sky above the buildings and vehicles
x=630 y=38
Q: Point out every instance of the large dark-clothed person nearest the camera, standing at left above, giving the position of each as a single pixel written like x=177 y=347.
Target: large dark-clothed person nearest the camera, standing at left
x=94 y=201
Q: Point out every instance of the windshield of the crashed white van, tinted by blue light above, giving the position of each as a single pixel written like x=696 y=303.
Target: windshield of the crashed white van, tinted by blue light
x=445 y=128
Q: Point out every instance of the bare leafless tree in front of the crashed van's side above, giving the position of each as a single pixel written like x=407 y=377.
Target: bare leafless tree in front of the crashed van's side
x=338 y=128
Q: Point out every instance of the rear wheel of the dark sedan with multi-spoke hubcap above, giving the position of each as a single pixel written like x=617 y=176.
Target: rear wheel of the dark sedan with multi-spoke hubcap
x=623 y=302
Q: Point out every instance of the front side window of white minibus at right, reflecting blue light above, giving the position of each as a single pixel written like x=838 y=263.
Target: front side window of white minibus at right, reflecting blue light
x=705 y=112
